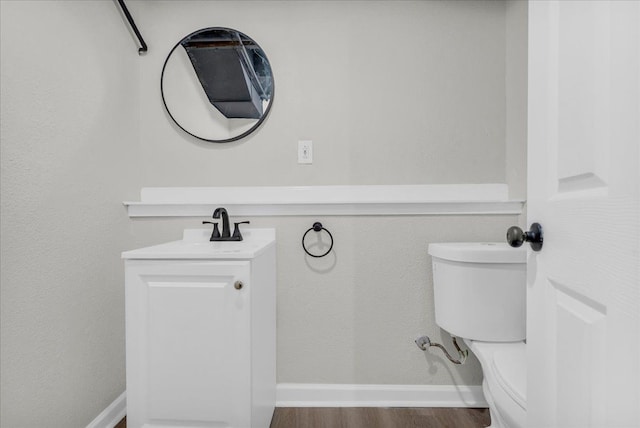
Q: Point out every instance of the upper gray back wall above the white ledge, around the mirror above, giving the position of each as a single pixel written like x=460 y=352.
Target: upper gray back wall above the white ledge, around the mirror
x=390 y=93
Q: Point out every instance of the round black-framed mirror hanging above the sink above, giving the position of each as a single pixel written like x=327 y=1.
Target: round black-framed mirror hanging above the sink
x=217 y=84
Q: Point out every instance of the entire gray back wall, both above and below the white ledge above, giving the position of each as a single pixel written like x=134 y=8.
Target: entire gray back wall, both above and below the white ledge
x=390 y=93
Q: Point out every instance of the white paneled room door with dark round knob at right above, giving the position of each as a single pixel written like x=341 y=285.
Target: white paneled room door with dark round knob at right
x=583 y=322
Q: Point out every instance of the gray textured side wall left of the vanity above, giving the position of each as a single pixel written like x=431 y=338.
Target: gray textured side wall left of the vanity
x=68 y=153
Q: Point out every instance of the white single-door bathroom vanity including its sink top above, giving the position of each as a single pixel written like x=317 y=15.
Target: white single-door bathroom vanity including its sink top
x=200 y=324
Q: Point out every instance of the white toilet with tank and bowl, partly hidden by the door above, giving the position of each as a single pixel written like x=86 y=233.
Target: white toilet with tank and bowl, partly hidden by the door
x=480 y=296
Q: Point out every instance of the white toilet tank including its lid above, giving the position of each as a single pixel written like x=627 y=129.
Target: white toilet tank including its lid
x=480 y=290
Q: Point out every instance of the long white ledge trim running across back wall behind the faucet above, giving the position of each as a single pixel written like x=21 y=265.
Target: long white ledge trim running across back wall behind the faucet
x=436 y=199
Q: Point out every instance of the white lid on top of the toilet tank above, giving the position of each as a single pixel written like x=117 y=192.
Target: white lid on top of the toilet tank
x=478 y=252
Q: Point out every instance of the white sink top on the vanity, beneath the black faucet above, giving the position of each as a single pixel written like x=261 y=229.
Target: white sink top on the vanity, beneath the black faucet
x=195 y=244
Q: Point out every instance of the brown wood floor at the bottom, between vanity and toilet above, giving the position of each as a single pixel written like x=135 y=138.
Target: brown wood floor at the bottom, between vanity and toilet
x=375 y=417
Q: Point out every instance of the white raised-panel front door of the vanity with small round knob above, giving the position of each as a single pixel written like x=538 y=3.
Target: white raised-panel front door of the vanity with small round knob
x=188 y=343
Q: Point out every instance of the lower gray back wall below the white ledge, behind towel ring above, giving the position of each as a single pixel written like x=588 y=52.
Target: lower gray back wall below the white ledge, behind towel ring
x=352 y=316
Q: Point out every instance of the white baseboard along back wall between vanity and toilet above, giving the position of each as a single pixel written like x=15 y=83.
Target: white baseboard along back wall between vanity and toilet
x=340 y=395
